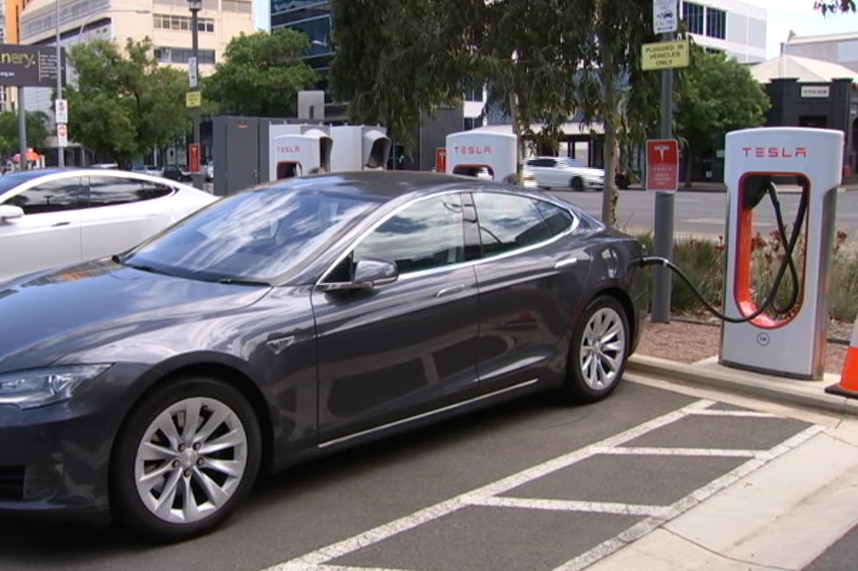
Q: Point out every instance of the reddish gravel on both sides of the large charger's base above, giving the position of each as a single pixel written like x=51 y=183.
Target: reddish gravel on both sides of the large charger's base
x=691 y=341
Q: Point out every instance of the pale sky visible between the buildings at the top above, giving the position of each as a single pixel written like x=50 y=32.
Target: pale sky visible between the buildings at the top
x=783 y=16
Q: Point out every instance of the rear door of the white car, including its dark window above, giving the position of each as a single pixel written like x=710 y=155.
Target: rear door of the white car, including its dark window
x=121 y=211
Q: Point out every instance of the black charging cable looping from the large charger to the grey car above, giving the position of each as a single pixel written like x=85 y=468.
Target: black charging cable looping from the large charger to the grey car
x=787 y=264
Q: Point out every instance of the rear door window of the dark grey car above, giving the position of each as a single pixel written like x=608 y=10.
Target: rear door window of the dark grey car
x=508 y=222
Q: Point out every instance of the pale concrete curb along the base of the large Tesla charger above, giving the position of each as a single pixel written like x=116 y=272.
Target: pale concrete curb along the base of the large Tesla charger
x=810 y=394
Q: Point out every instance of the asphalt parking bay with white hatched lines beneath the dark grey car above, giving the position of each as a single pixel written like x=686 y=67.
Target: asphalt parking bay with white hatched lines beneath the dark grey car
x=527 y=486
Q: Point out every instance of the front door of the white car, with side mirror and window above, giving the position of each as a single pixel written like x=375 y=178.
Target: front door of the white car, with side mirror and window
x=48 y=235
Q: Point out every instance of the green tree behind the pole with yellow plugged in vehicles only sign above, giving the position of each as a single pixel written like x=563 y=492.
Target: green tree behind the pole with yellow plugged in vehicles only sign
x=715 y=95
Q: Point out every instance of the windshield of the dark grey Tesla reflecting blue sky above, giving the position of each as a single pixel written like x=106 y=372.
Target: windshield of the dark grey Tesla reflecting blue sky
x=255 y=236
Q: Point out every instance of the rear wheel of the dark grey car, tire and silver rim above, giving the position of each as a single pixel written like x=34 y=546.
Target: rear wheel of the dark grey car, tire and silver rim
x=598 y=352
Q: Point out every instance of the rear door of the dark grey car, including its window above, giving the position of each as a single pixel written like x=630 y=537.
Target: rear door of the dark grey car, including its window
x=531 y=277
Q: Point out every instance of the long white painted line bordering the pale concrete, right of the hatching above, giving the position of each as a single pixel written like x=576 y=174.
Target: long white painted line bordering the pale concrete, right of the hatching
x=644 y=527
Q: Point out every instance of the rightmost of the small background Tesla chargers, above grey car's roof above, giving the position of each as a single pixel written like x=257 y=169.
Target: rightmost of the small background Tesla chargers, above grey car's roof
x=496 y=152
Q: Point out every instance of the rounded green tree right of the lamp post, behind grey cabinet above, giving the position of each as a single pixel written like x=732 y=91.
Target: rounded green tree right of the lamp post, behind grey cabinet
x=261 y=75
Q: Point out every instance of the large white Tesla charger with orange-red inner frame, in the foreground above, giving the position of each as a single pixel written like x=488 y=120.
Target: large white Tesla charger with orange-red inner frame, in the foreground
x=810 y=161
